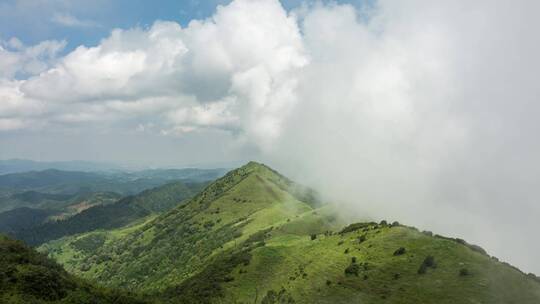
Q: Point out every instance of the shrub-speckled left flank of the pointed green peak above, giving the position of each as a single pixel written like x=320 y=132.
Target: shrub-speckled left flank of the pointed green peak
x=179 y=243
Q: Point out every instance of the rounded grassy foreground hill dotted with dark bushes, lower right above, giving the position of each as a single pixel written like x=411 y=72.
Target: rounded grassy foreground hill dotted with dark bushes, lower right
x=361 y=267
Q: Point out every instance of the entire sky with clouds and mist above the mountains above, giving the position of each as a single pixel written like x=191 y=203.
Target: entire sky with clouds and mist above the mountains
x=424 y=112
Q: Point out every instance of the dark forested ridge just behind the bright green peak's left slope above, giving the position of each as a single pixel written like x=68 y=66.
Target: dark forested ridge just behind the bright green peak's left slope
x=114 y=215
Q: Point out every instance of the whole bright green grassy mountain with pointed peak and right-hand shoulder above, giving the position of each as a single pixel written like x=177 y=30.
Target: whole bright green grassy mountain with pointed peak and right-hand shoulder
x=253 y=236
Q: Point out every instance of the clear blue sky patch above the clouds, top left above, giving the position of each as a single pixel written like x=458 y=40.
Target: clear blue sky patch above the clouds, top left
x=81 y=22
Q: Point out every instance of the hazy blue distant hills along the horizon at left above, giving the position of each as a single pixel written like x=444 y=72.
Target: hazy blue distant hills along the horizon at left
x=56 y=189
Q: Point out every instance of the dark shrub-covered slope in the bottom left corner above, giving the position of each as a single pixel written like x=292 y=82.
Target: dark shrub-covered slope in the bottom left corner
x=29 y=277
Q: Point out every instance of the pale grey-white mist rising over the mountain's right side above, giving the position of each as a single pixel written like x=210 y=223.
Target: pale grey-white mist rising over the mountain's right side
x=426 y=114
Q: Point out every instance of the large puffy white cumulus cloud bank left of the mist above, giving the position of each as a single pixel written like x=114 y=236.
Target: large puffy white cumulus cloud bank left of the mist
x=234 y=71
